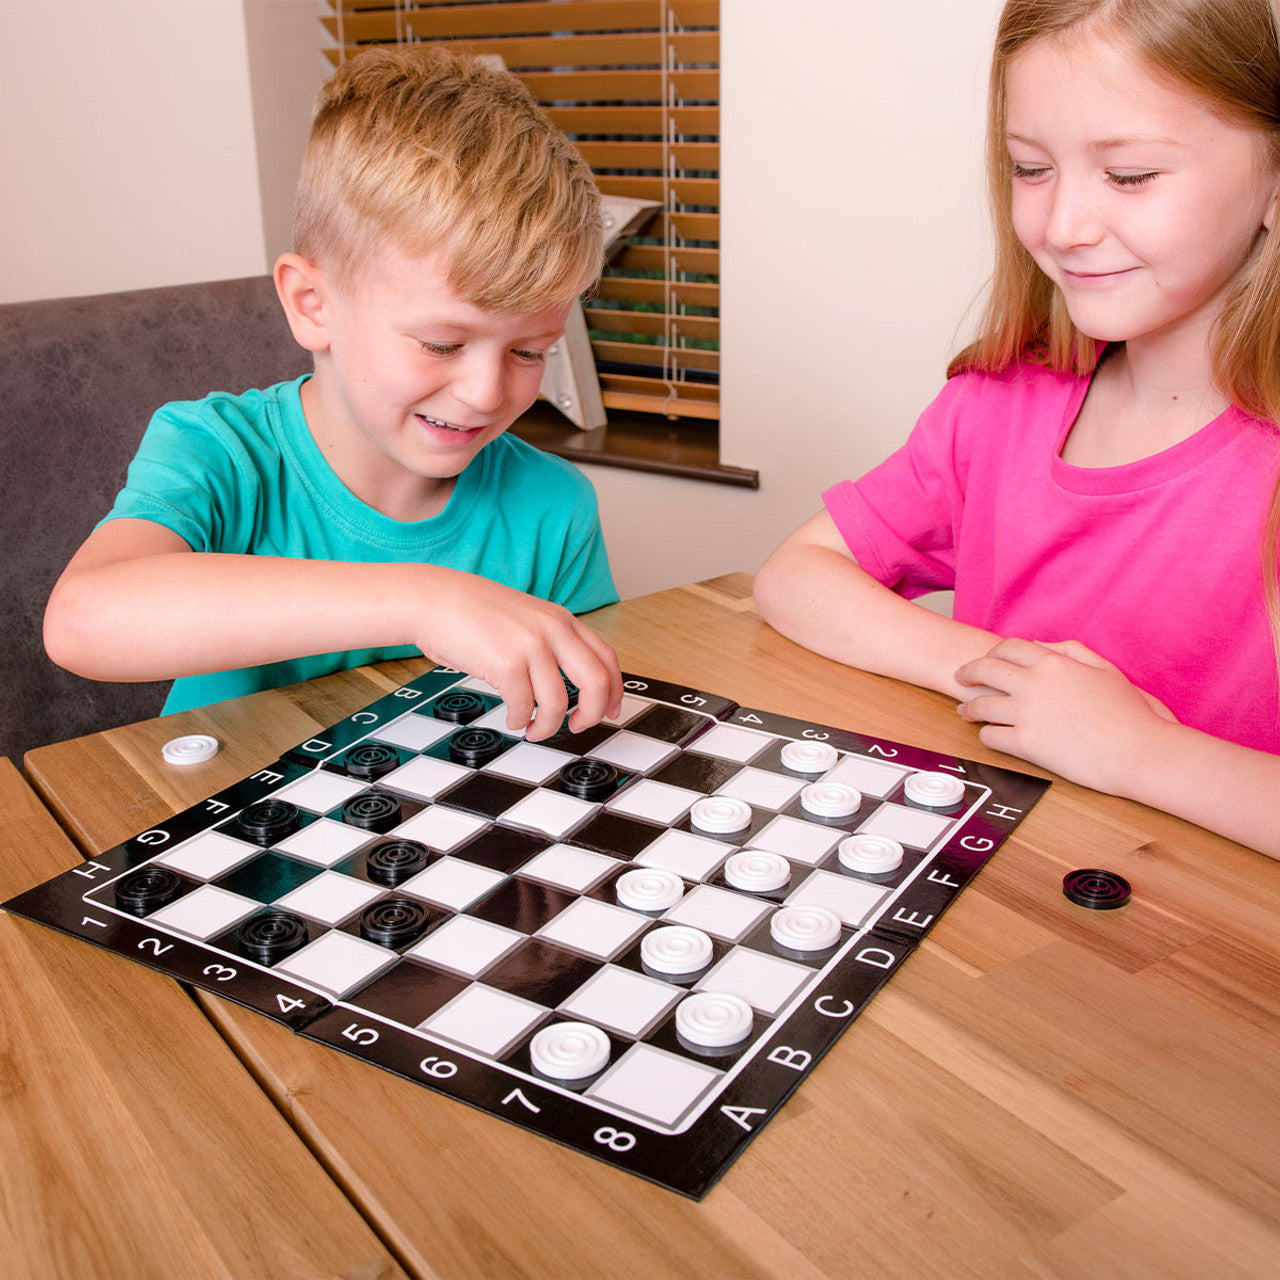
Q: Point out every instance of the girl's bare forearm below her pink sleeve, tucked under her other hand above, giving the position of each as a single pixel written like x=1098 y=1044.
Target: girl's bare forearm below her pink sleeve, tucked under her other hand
x=815 y=593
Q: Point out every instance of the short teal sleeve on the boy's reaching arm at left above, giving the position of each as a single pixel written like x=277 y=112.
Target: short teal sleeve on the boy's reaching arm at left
x=193 y=476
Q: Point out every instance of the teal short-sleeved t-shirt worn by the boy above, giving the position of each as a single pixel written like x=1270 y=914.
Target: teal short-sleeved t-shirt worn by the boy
x=243 y=474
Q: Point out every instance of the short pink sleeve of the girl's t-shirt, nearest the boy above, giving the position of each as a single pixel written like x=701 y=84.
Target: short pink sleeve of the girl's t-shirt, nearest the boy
x=902 y=520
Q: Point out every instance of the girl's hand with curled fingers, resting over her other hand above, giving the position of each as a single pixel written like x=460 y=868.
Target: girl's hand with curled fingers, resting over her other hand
x=1062 y=707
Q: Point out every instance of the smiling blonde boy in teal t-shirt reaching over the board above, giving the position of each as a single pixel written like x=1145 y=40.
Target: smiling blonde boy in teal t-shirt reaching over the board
x=376 y=509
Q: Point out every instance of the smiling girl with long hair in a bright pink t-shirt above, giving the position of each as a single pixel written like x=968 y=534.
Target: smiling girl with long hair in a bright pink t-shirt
x=1099 y=479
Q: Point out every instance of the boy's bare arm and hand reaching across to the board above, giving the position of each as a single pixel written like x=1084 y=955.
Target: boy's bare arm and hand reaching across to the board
x=136 y=604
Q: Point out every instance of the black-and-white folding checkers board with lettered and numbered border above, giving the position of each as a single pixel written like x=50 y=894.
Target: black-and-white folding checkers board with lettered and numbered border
x=428 y=892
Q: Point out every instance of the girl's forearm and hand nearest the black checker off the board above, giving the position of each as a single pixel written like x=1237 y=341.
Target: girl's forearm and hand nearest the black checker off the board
x=1067 y=710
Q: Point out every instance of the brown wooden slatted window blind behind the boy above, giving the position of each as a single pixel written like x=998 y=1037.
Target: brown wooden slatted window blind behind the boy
x=636 y=84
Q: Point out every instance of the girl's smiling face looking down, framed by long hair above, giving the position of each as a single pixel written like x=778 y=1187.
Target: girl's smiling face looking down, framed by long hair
x=1136 y=199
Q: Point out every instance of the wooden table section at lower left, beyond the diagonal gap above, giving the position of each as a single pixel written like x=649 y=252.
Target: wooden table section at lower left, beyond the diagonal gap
x=132 y=1141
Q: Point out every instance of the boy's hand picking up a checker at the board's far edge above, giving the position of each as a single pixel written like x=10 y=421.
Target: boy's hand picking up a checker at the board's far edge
x=520 y=646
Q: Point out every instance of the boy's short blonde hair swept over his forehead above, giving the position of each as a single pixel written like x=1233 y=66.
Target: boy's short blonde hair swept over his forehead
x=417 y=148
